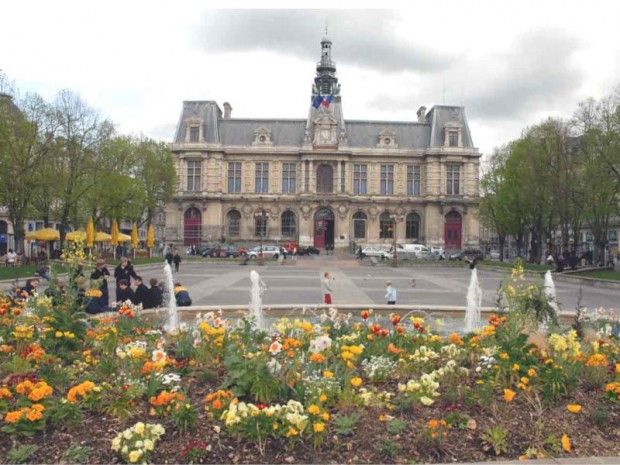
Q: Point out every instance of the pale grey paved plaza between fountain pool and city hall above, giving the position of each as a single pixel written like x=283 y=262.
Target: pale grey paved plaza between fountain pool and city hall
x=299 y=284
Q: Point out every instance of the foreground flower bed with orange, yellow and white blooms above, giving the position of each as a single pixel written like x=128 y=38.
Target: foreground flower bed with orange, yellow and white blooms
x=118 y=389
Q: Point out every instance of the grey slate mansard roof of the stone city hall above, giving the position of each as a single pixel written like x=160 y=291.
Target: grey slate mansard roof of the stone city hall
x=290 y=132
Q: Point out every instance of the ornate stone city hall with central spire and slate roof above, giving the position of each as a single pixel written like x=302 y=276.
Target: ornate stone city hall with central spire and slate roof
x=324 y=180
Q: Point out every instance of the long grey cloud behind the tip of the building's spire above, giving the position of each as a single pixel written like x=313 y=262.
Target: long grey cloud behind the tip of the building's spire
x=363 y=38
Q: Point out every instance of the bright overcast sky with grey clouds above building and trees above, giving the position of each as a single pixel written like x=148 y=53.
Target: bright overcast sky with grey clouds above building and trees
x=510 y=64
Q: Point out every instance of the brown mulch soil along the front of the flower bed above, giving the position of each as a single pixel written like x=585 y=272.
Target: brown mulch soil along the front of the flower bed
x=595 y=431
